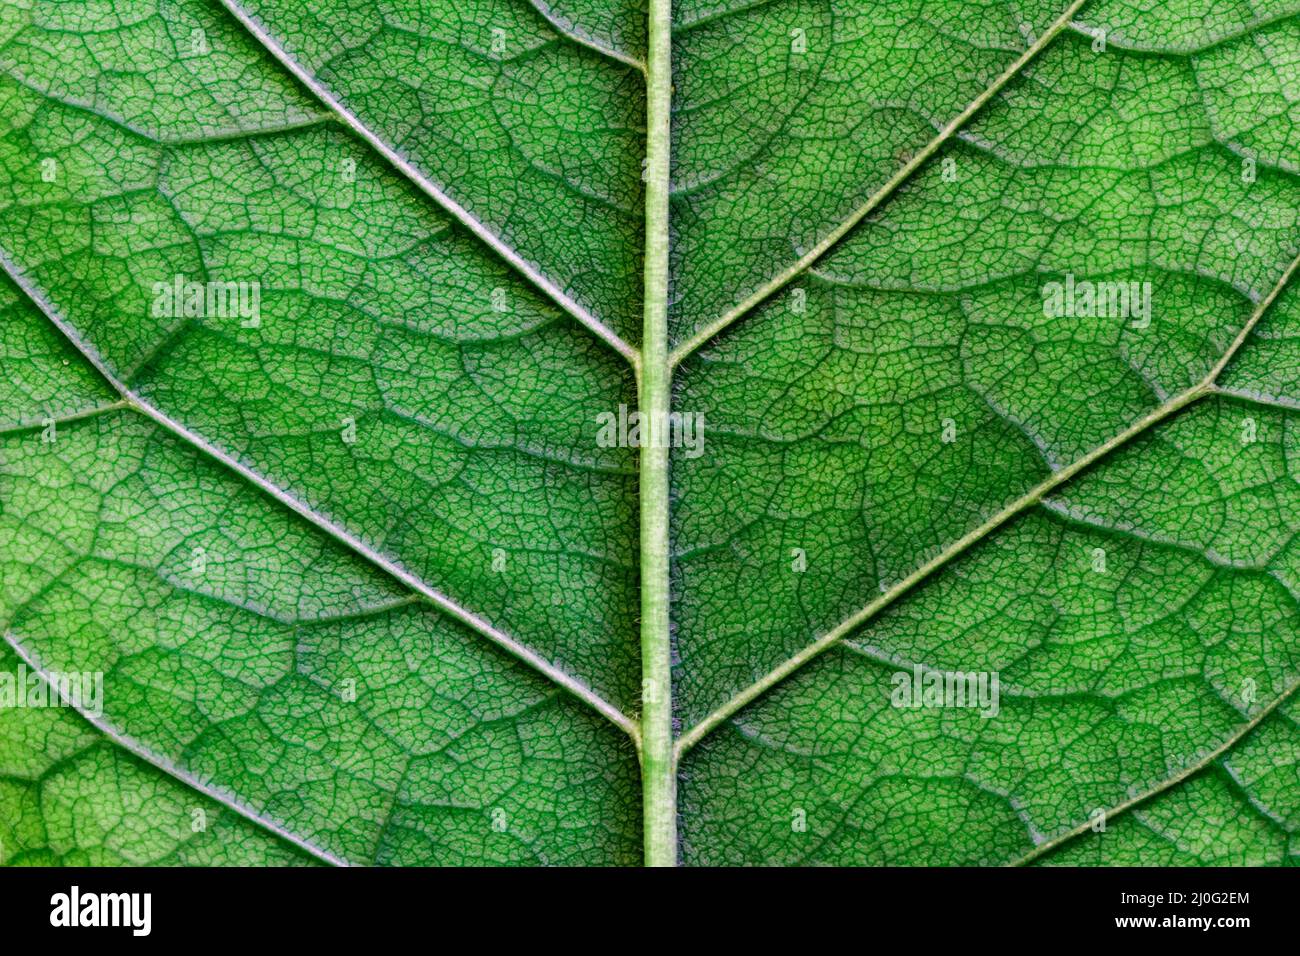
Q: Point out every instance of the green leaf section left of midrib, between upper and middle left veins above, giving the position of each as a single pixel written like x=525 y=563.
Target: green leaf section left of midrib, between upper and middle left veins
x=391 y=348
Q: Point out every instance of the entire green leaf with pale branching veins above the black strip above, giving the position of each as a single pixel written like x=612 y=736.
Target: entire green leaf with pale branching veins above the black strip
x=366 y=579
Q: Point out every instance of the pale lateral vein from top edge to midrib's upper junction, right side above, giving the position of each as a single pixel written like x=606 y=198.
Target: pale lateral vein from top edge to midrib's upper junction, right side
x=686 y=349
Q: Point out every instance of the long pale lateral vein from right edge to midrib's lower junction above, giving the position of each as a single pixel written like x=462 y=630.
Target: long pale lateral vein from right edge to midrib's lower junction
x=1203 y=390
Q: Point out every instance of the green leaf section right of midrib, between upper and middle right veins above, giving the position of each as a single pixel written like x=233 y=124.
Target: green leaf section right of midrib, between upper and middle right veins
x=829 y=409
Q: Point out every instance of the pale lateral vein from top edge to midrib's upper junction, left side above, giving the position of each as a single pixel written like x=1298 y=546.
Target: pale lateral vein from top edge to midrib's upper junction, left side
x=406 y=168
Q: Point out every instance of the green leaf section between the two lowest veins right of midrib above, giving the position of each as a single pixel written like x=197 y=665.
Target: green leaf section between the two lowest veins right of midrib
x=1133 y=639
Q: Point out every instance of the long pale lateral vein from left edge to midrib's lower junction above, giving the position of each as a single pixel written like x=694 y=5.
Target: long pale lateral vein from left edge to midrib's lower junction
x=434 y=596
